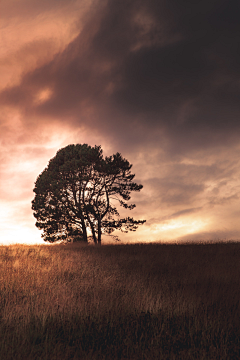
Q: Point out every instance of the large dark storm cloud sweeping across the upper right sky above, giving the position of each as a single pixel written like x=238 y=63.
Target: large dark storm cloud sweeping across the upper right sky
x=151 y=68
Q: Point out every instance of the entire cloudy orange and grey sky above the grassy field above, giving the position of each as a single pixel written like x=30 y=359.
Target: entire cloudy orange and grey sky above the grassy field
x=156 y=80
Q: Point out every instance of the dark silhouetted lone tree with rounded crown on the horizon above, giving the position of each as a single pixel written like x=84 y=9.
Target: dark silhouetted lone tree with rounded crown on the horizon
x=79 y=191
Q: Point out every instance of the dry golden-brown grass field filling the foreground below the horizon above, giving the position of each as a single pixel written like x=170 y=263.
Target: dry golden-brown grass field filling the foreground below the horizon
x=120 y=302
